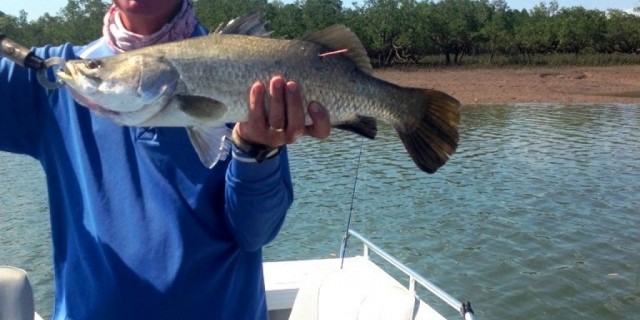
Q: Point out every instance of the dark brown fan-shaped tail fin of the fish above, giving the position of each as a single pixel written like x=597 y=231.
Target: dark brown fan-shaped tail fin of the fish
x=431 y=137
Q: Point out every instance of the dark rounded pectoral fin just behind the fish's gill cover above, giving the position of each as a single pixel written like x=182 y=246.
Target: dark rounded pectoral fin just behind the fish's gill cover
x=202 y=109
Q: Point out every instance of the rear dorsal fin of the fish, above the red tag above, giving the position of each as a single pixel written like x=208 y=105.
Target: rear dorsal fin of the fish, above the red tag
x=339 y=37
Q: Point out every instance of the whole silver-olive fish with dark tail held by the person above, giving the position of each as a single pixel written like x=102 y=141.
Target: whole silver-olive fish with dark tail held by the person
x=202 y=83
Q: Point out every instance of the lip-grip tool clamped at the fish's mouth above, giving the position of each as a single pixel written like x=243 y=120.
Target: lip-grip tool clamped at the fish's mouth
x=28 y=59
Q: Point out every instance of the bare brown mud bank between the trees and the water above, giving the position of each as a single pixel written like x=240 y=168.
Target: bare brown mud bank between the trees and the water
x=565 y=85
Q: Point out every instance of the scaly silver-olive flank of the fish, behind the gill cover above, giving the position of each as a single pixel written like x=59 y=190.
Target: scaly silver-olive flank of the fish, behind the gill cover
x=225 y=66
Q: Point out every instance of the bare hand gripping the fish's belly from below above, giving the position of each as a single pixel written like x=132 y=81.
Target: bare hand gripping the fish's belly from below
x=284 y=122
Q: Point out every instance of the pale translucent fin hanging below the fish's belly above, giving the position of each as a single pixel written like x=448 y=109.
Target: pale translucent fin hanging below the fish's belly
x=212 y=144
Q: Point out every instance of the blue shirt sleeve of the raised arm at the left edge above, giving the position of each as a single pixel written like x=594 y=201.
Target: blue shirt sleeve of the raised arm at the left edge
x=24 y=104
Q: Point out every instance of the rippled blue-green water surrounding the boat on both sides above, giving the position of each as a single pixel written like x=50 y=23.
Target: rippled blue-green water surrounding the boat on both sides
x=535 y=217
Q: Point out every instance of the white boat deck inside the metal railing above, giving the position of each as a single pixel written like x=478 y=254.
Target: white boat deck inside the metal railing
x=324 y=291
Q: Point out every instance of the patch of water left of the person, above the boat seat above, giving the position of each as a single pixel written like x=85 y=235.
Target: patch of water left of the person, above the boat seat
x=24 y=225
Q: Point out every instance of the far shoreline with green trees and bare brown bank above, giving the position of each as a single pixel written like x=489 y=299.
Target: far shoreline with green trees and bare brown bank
x=479 y=51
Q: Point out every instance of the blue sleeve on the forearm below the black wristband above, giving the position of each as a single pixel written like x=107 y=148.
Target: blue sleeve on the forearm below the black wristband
x=258 y=196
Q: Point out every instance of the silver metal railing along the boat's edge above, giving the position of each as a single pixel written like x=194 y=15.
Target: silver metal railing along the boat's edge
x=464 y=308
